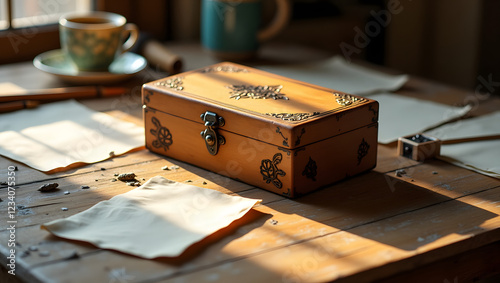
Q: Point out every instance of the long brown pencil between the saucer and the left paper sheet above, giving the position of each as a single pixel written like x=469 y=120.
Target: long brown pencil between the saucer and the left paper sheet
x=54 y=94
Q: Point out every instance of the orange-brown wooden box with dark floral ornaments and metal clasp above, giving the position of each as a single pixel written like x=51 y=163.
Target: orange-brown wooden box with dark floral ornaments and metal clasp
x=279 y=134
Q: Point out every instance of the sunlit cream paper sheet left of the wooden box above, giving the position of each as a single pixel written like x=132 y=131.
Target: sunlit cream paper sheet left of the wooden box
x=59 y=134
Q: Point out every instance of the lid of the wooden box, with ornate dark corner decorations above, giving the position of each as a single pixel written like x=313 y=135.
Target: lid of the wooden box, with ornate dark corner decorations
x=260 y=105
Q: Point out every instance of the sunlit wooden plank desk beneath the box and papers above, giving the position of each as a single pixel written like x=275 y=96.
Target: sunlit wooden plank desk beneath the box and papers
x=437 y=223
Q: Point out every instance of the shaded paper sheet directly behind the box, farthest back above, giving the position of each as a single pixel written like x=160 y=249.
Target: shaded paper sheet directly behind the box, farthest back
x=338 y=74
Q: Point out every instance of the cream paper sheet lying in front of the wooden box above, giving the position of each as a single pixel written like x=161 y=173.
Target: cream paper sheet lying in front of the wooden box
x=161 y=218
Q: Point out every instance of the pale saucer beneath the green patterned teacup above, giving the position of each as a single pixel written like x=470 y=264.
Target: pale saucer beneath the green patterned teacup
x=56 y=63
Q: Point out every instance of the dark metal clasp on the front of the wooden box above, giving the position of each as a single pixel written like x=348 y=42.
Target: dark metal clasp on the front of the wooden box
x=212 y=139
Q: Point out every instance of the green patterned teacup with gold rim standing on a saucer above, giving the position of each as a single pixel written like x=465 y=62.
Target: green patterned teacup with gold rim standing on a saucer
x=93 y=40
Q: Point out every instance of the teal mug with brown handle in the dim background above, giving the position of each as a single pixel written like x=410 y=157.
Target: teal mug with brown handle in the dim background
x=230 y=28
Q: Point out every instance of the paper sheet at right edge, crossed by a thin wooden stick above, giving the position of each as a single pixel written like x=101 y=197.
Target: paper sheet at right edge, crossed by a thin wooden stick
x=479 y=156
